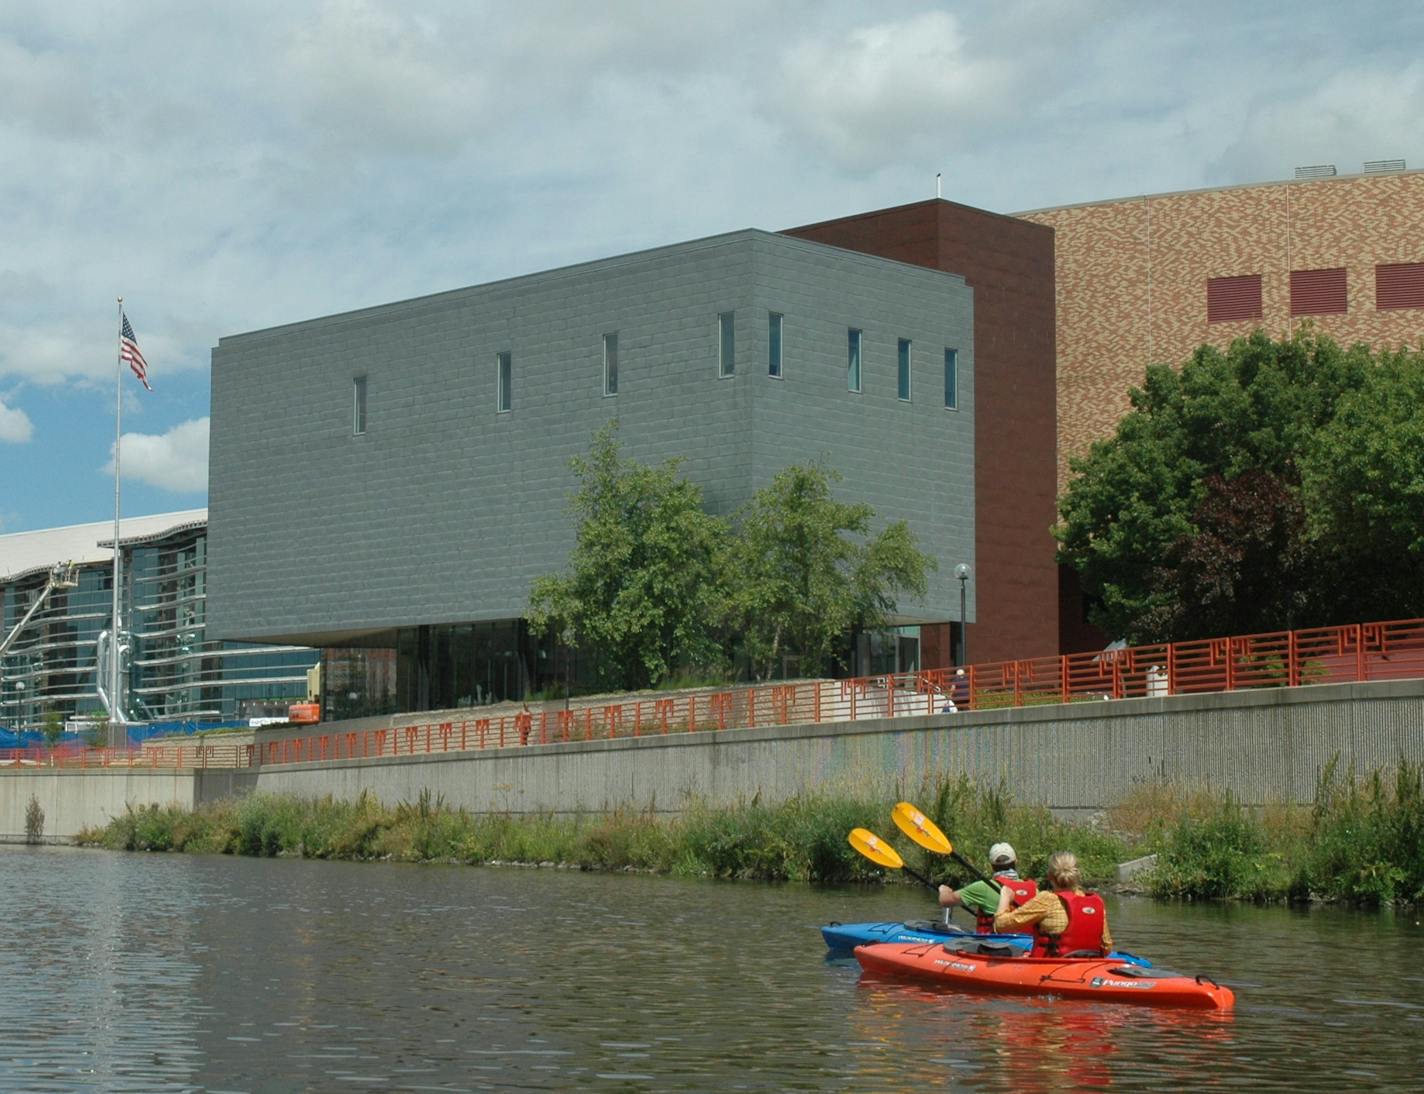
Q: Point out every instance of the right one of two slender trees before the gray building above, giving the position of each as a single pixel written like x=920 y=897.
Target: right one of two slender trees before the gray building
x=807 y=572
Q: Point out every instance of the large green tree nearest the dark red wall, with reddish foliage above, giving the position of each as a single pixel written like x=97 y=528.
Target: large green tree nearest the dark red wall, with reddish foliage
x=1191 y=519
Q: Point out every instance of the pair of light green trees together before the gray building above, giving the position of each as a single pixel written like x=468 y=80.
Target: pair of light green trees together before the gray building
x=656 y=585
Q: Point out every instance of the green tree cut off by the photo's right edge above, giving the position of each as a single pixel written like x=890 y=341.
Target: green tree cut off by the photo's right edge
x=1363 y=484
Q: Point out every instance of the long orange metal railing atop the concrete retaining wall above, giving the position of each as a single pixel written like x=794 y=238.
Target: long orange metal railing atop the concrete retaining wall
x=1284 y=659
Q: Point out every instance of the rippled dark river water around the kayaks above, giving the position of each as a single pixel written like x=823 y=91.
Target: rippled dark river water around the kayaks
x=169 y=972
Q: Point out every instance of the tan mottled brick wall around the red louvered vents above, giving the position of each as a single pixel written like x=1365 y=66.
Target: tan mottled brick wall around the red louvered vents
x=1131 y=278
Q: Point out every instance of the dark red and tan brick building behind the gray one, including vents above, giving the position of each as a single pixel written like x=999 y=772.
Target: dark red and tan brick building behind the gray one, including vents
x=1070 y=307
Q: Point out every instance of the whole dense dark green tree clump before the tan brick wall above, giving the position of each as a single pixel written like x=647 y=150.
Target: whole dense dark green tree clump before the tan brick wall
x=1255 y=489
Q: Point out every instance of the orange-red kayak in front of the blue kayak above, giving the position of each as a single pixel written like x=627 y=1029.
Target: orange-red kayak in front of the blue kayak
x=1074 y=978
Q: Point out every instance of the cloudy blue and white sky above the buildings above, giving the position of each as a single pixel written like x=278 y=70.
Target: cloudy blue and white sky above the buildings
x=229 y=167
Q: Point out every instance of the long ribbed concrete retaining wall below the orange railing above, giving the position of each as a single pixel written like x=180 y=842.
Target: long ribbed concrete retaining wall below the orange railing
x=1262 y=747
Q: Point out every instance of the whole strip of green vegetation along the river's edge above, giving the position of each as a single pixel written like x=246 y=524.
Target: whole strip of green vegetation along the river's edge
x=1361 y=844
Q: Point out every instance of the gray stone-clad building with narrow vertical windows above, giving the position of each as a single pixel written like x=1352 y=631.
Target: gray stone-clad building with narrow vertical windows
x=398 y=476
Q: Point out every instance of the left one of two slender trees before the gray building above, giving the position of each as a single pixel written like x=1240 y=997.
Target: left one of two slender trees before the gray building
x=643 y=583
